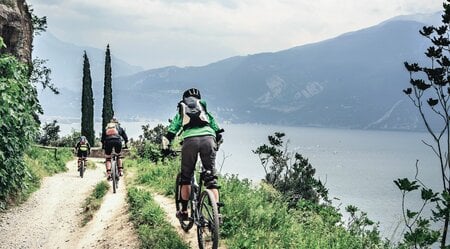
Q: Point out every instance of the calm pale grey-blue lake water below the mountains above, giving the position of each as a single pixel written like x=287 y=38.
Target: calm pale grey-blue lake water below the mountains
x=358 y=167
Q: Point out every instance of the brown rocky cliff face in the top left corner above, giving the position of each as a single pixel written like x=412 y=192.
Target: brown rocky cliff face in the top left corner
x=16 y=29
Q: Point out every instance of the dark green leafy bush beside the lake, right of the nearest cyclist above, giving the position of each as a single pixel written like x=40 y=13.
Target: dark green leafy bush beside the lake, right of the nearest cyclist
x=291 y=175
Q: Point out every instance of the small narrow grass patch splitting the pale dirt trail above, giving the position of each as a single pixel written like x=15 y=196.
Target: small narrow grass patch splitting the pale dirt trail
x=94 y=201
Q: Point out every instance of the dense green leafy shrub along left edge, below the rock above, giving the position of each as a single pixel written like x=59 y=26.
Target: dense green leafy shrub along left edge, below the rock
x=18 y=125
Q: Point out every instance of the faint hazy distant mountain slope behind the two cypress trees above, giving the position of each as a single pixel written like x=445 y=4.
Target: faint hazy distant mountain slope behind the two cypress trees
x=66 y=62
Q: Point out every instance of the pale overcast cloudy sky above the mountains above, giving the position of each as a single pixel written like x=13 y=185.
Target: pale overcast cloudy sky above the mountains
x=157 y=33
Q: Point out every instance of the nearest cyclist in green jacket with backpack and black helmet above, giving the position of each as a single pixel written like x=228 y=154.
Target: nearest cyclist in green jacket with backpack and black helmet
x=200 y=134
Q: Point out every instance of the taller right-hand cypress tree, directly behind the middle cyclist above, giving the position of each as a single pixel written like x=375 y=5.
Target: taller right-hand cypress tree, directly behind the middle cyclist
x=107 y=111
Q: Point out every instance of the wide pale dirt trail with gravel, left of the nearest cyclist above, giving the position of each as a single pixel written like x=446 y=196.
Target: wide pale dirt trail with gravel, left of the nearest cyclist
x=51 y=217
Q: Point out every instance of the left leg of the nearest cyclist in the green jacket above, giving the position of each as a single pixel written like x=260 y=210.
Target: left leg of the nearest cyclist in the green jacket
x=189 y=154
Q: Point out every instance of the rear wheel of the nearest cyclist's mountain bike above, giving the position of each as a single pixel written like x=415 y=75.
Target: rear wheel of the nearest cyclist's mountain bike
x=208 y=227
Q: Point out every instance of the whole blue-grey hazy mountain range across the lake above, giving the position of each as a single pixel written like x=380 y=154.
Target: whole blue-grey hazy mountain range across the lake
x=354 y=80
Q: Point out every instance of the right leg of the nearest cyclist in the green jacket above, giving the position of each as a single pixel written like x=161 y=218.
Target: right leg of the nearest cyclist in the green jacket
x=208 y=157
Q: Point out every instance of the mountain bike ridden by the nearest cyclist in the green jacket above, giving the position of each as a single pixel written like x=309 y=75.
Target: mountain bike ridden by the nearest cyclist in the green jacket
x=204 y=212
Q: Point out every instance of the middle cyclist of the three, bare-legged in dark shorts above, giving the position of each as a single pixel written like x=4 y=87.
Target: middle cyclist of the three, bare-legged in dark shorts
x=112 y=139
